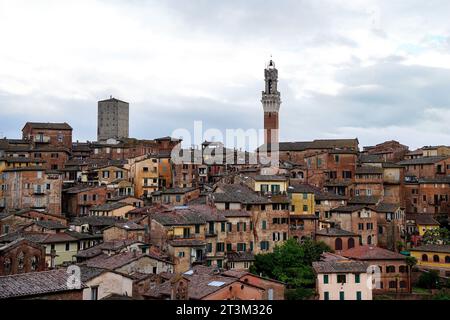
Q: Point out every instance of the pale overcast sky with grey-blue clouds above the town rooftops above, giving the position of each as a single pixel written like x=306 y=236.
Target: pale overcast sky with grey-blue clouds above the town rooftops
x=376 y=70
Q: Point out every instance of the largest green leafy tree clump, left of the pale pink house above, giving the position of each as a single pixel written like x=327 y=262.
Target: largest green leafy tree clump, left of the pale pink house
x=291 y=263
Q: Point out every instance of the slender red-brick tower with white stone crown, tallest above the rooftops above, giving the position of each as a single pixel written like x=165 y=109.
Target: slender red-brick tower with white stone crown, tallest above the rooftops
x=271 y=101
